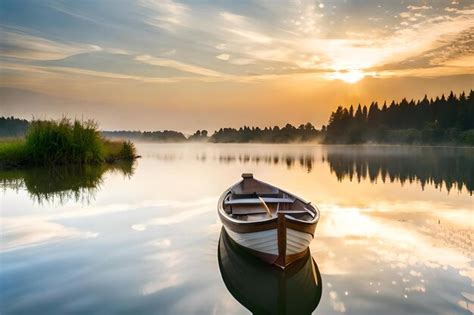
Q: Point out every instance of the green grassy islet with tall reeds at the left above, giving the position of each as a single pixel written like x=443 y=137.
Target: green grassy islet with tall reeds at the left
x=63 y=142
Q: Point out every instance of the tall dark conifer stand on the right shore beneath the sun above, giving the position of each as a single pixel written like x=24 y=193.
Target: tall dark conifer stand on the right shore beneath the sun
x=440 y=120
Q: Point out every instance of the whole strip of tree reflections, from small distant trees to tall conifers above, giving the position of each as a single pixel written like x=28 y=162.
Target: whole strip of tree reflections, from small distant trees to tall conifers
x=450 y=167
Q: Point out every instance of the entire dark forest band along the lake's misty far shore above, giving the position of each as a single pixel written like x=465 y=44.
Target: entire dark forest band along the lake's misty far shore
x=443 y=120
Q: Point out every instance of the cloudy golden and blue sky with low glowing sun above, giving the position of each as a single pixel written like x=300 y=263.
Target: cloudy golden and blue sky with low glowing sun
x=188 y=65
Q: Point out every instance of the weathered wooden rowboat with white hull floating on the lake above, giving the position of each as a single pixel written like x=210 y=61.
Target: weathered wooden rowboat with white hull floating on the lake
x=269 y=222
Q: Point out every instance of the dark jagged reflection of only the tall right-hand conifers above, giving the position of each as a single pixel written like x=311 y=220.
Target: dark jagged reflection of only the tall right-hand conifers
x=451 y=167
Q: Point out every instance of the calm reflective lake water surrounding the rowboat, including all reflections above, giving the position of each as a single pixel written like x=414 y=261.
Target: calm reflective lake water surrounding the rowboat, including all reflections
x=395 y=235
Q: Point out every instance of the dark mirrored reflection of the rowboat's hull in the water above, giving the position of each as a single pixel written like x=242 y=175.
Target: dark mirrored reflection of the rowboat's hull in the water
x=266 y=289
